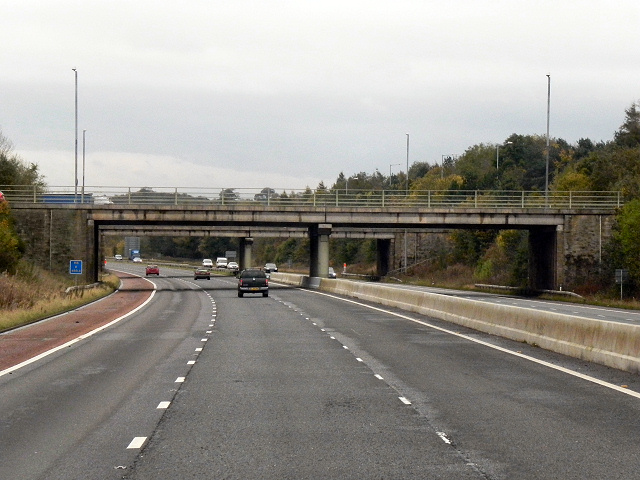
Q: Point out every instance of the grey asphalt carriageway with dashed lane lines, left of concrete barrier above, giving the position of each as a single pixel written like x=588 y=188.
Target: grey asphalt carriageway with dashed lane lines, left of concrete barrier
x=202 y=384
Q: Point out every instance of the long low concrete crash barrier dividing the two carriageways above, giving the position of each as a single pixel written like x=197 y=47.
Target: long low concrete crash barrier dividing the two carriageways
x=612 y=344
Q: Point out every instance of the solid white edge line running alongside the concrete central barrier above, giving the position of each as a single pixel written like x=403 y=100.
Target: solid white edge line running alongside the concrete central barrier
x=582 y=376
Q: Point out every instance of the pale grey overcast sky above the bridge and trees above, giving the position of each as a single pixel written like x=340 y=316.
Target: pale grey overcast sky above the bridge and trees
x=285 y=94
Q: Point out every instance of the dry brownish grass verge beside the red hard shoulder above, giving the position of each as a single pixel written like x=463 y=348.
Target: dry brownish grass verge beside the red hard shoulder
x=34 y=294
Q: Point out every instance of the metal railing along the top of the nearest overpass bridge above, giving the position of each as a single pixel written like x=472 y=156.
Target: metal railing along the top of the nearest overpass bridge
x=472 y=199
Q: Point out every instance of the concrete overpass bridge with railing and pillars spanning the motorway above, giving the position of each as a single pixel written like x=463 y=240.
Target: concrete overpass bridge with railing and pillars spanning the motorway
x=563 y=226
